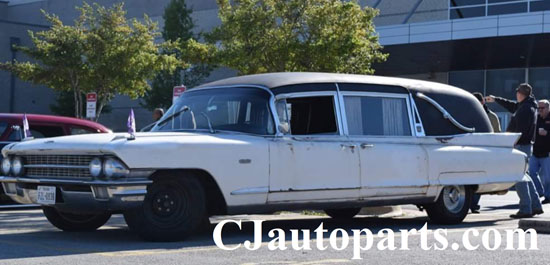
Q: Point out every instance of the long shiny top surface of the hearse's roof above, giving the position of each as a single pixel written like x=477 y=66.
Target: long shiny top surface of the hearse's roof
x=275 y=80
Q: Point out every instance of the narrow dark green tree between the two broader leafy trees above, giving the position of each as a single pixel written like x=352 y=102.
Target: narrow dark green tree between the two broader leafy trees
x=178 y=26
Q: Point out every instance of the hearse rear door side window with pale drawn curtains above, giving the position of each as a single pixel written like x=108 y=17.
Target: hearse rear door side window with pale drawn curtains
x=377 y=116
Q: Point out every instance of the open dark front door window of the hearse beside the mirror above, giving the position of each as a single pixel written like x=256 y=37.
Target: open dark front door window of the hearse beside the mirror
x=310 y=115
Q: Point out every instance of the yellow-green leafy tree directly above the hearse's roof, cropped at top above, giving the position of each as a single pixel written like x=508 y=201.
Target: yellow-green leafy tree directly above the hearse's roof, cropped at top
x=257 y=36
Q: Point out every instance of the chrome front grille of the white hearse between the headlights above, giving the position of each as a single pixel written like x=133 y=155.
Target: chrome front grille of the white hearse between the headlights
x=58 y=166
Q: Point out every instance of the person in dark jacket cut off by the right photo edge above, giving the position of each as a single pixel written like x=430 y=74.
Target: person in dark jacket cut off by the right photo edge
x=539 y=164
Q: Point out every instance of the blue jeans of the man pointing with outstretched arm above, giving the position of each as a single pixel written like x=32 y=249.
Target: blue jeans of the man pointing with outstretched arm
x=527 y=193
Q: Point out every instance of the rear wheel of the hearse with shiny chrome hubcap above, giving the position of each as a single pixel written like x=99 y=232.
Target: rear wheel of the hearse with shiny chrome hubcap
x=452 y=205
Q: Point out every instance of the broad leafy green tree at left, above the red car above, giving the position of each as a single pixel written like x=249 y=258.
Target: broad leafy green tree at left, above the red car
x=102 y=52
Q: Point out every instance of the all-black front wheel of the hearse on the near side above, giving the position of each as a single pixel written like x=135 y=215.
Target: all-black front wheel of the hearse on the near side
x=173 y=209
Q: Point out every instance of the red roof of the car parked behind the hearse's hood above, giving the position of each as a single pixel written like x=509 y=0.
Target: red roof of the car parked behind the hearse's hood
x=38 y=118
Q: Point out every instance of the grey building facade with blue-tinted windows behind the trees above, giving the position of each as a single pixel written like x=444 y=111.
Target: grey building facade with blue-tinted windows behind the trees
x=489 y=46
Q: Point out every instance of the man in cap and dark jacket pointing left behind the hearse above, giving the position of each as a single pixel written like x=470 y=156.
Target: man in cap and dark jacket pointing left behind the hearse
x=524 y=119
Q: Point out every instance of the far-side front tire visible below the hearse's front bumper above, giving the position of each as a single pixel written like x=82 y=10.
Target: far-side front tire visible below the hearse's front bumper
x=72 y=222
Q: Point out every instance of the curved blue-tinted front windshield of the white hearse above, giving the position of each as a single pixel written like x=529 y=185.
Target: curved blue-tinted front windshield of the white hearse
x=230 y=109
